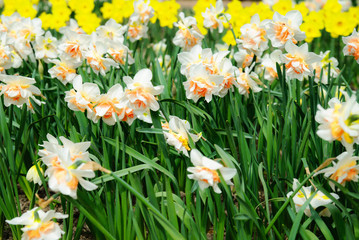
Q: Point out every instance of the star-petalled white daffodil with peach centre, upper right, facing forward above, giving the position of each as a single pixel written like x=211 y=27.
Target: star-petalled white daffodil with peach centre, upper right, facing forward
x=299 y=61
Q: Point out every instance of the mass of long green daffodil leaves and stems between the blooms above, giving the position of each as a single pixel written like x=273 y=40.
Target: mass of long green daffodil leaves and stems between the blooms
x=269 y=137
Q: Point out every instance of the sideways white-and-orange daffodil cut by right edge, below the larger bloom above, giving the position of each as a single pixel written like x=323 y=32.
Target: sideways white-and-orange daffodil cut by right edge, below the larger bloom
x=344 y=170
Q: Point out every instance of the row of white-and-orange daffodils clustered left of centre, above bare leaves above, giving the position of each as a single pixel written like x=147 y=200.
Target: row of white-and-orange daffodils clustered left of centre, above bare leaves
x=118 y=104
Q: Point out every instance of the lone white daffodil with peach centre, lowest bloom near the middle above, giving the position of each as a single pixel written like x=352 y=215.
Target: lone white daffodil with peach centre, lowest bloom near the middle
x=205 y=171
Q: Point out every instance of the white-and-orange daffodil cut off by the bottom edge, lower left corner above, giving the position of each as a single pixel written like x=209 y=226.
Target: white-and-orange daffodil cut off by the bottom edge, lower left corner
x=39 y=225
